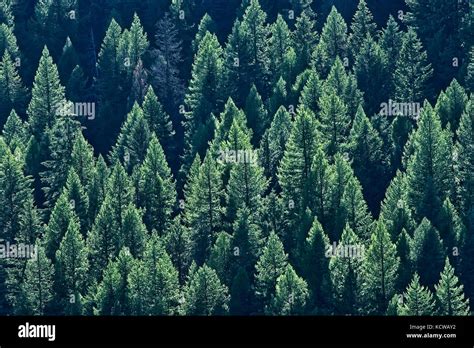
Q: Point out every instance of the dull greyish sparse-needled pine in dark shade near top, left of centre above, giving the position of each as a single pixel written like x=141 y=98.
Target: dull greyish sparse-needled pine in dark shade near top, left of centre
x=165 y=69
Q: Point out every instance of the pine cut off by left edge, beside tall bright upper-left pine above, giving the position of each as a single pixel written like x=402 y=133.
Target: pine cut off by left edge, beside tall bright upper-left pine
x=13 y=94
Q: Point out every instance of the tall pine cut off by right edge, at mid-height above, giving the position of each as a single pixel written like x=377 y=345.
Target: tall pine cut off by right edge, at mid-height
x=465 y=172
